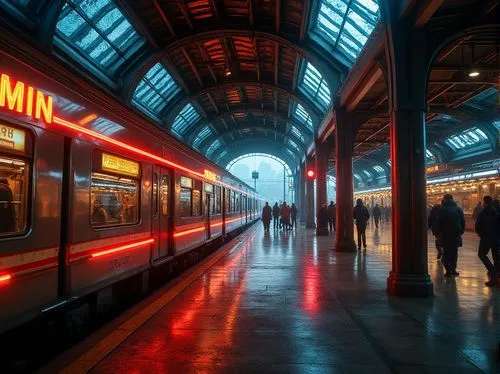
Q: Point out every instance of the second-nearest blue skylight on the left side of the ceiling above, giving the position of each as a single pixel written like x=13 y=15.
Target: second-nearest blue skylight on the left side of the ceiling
x=155 y=90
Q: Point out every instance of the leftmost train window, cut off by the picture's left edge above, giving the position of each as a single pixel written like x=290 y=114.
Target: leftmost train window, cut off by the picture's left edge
x=14 y=187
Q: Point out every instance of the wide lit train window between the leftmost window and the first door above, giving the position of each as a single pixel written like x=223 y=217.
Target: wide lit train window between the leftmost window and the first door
x=115 y=200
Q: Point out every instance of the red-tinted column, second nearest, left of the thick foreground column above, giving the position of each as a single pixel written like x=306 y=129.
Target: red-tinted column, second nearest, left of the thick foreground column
x=344 y=145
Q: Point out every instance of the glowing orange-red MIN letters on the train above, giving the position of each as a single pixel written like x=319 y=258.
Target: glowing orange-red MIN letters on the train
x=18 y=97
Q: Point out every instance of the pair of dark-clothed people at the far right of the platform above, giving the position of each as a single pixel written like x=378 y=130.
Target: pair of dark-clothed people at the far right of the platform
x=447 y=223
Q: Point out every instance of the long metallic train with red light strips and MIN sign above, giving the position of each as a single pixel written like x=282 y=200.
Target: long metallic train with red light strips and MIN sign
x=91 y=196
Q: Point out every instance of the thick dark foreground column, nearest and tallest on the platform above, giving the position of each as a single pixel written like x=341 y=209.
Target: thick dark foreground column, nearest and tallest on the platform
x=406 y=75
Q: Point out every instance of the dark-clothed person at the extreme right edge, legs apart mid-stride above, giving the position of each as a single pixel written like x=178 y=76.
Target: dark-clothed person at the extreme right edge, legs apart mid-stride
x=487 y=228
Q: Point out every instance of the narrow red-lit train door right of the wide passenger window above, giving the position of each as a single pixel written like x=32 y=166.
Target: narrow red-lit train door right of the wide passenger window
x=161 y=212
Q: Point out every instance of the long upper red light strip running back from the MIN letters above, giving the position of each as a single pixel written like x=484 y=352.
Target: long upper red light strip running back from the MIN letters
x=107 y=139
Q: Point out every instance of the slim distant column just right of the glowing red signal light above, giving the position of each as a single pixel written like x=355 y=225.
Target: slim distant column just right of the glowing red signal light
x=321 y=196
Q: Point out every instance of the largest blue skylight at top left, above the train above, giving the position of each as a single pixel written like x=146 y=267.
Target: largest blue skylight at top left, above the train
x=98 y=31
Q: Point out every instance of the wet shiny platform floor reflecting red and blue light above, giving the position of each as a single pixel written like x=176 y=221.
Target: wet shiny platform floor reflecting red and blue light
x=286 y=302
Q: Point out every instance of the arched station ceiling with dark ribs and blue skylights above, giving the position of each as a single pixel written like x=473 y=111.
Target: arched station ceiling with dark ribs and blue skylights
x=226 y=69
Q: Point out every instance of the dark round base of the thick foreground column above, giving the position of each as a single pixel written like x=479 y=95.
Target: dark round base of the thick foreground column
x=409 y=285
